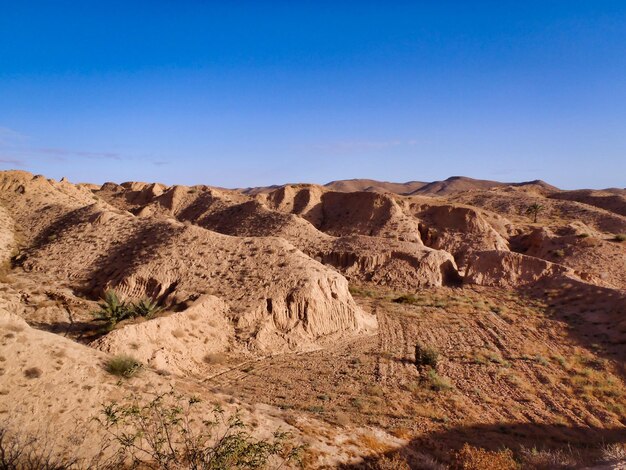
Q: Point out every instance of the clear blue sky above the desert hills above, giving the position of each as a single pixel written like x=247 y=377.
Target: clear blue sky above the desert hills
x=238 y=93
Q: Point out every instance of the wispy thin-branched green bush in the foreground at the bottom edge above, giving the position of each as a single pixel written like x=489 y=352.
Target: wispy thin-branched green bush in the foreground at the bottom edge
x=164 y=434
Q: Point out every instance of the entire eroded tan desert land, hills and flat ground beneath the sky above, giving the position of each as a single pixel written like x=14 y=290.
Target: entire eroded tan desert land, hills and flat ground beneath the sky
x=363 y=324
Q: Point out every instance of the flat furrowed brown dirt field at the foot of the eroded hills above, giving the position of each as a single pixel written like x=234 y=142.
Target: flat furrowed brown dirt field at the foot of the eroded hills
x=505 y=365
